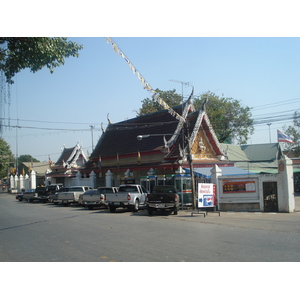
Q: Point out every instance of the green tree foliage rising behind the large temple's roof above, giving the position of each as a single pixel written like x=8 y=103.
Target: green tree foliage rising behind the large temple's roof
x=230 y=120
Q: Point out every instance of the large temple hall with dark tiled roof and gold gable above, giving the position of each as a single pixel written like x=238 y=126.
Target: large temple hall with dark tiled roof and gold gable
x=158 y=149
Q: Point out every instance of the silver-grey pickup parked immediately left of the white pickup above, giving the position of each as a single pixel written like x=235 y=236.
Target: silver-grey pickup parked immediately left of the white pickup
x=96 y=198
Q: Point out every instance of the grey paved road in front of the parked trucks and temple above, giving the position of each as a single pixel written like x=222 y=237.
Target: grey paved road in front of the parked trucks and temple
x=36 y=232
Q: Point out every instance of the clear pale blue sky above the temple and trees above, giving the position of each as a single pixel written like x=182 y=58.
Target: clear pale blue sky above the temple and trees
x=262 y=73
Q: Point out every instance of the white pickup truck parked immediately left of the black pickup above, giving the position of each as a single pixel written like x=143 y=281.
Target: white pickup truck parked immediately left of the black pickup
x=130 y=196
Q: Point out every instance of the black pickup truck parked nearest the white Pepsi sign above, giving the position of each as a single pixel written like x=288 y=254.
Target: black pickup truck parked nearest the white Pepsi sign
x=163 y=198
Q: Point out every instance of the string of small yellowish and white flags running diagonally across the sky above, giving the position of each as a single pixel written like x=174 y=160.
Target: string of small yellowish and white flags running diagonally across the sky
x=146 y=85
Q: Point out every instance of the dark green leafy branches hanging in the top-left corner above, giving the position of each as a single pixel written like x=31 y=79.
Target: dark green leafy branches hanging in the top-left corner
x=18 y=53
